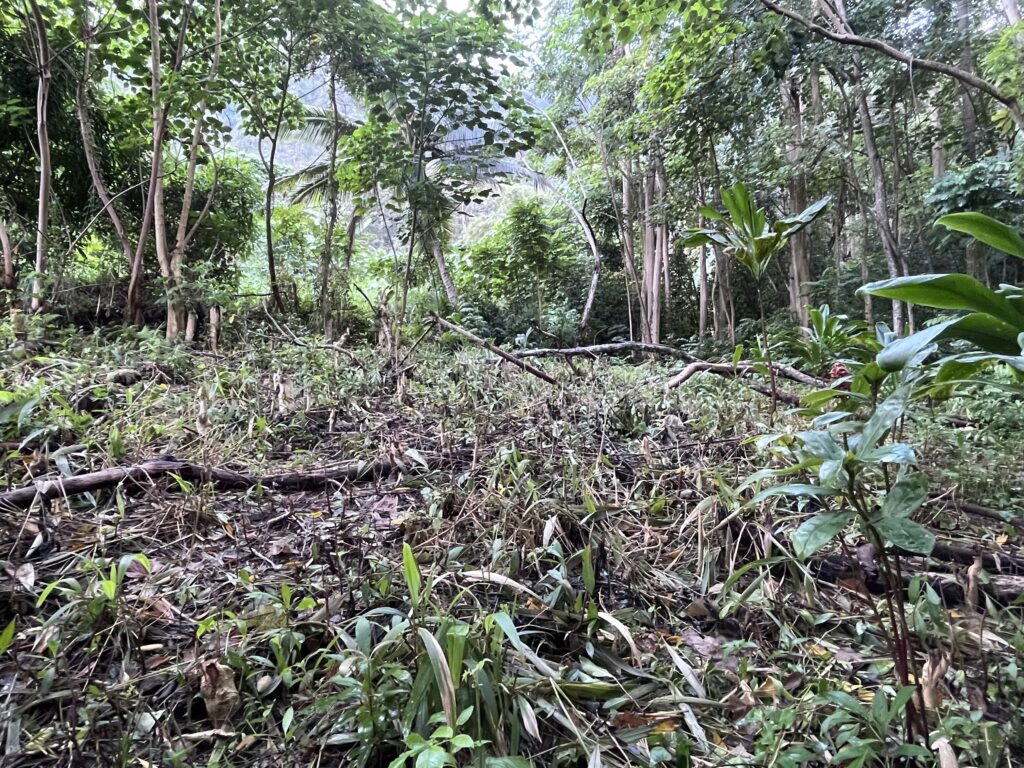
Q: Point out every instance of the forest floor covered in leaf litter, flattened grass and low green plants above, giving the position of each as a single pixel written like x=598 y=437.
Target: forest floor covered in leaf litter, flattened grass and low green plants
x=585 y=582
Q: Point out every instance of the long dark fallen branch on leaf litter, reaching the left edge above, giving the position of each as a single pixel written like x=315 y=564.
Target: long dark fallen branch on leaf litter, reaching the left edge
x=225 y=480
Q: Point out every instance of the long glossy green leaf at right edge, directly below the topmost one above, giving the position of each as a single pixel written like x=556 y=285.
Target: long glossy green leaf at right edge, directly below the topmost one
x=947 y=292
